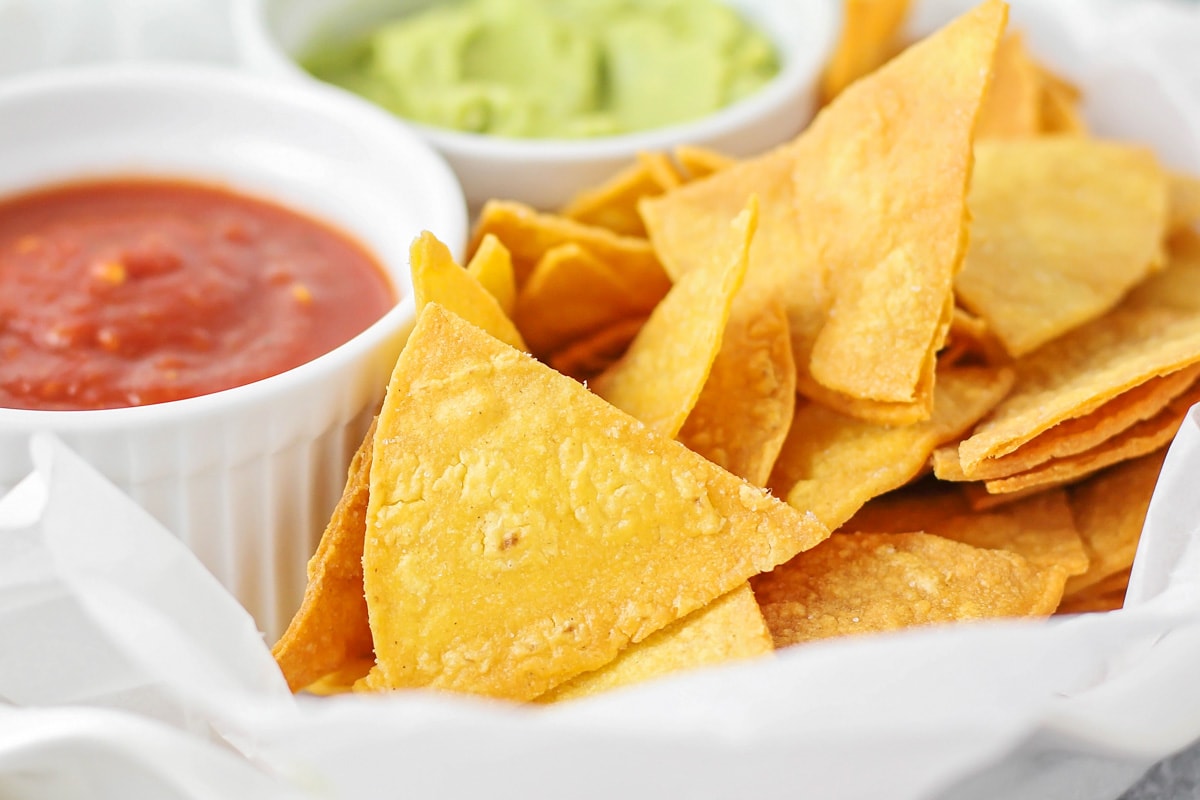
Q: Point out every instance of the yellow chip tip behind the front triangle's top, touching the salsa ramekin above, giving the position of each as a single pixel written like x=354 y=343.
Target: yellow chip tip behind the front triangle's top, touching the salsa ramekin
x=437 y=279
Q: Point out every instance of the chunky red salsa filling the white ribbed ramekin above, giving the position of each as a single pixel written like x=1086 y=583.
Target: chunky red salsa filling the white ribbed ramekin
x=139 y=292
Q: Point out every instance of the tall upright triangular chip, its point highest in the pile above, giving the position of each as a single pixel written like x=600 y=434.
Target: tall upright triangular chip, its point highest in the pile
x=851 y=214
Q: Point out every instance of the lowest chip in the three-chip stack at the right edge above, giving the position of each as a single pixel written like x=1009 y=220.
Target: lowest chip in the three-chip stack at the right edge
x=1138 y=441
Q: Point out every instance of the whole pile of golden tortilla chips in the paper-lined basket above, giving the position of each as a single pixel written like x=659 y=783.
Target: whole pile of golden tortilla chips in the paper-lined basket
x=945 y=324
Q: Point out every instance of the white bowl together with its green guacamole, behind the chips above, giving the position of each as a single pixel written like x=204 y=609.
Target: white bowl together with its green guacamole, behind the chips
x=532 y=100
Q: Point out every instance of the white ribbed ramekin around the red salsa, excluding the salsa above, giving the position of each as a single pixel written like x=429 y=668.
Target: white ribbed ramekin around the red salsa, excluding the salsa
x=247 y=477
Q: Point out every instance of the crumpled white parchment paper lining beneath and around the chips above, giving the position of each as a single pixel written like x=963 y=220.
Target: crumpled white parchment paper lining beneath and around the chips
x=128 y=672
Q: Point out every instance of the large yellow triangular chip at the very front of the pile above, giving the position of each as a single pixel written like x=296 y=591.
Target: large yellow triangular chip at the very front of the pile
x=521 y=531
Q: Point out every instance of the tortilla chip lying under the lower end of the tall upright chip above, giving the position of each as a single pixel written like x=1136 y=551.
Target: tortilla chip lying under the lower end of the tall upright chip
x=833 y=465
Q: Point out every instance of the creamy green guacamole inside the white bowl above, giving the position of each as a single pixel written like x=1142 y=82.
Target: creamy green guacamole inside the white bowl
x=554 y=69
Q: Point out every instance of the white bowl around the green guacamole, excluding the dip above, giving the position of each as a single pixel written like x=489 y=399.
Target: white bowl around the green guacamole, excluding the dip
x=547 y=173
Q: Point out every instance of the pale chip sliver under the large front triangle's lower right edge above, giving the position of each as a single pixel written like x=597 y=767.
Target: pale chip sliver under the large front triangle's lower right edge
x=728 y=629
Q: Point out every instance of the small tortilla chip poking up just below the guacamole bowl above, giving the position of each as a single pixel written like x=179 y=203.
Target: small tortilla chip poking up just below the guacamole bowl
x=614 y=204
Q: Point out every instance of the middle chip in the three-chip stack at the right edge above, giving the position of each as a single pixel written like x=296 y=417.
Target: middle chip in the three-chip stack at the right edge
x=1082 y=434
